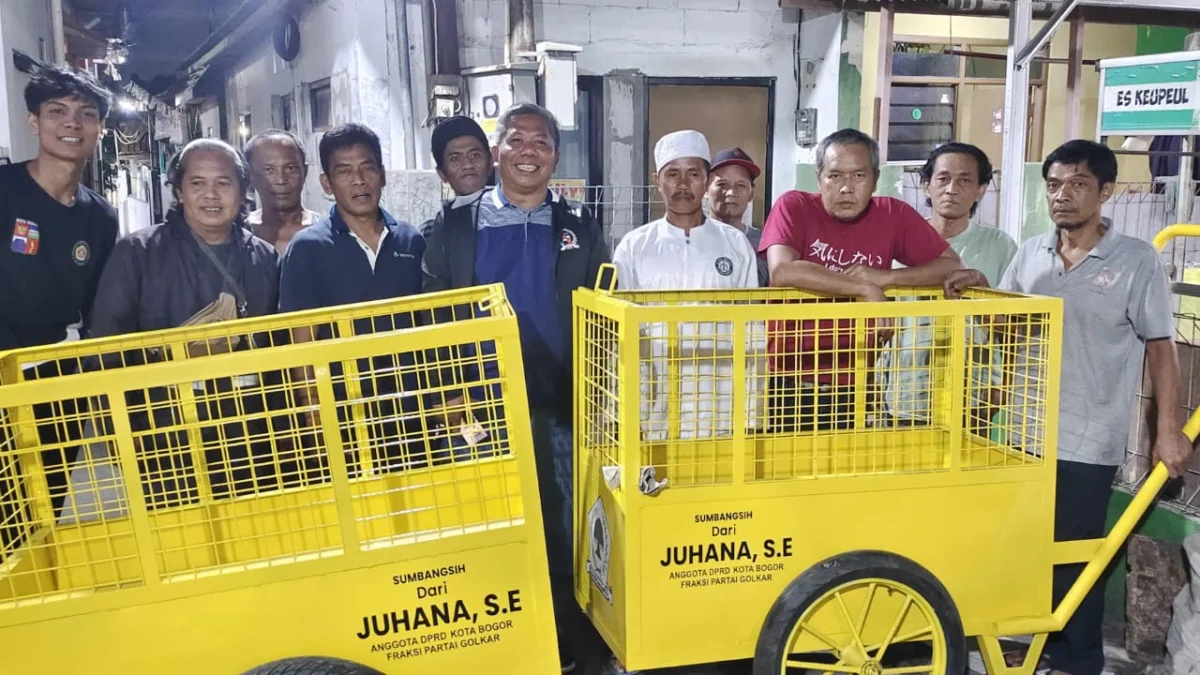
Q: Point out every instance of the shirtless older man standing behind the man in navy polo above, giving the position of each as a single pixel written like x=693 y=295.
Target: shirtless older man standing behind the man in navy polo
x=279 y=168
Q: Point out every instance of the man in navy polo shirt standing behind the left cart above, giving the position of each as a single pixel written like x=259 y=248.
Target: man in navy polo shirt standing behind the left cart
x=357 y=255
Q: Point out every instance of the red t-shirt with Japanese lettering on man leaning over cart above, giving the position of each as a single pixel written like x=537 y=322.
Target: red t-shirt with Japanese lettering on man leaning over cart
x=886 y=232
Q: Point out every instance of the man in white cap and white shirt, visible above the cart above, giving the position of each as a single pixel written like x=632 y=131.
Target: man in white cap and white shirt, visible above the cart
x=685 y=250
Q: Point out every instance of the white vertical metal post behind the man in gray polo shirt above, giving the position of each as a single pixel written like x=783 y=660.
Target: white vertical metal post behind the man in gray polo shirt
x=1017 y=105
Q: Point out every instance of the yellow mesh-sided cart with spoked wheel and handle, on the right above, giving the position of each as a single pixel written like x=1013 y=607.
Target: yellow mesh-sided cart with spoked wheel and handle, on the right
x=821 y=485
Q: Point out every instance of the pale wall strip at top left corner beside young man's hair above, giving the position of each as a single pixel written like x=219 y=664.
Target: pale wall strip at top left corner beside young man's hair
x=25 y=26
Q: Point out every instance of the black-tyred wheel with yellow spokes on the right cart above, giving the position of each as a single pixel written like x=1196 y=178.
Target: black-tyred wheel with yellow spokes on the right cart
x=871 y=613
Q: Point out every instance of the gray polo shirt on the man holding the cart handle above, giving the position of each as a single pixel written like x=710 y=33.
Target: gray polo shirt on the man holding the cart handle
x=1115 y=301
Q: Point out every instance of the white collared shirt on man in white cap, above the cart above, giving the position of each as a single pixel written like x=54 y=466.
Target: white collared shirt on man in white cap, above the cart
x=662 y=256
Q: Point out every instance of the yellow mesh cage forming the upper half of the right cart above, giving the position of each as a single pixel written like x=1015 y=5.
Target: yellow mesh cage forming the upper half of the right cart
x=724 y=387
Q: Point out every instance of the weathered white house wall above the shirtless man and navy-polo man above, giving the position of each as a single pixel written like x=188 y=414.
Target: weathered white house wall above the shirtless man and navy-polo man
x=352 y=44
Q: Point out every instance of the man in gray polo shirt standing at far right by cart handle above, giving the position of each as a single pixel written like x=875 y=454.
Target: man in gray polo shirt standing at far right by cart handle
x=1117 y=308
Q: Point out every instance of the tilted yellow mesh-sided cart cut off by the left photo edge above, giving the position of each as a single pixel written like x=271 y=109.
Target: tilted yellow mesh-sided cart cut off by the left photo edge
x=346 y=486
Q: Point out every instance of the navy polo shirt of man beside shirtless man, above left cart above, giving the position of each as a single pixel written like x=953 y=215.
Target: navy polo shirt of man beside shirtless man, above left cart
x=328 y=266
